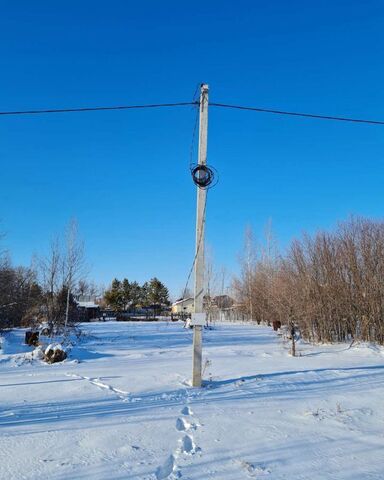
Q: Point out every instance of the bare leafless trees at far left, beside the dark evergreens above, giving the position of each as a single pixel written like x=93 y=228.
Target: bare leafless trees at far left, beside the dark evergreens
x=44 y=292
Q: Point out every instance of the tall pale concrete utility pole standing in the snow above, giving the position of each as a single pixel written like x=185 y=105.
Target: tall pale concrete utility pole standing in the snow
x=200 y=232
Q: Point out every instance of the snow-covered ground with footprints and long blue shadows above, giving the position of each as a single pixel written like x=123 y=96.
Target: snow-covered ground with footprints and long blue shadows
x=120 y=407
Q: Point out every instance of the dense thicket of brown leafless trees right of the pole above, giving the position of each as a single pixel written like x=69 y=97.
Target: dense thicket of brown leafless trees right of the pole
x=329 y=285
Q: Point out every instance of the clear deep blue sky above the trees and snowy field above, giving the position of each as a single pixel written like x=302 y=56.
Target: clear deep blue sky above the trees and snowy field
x=125 y=176
